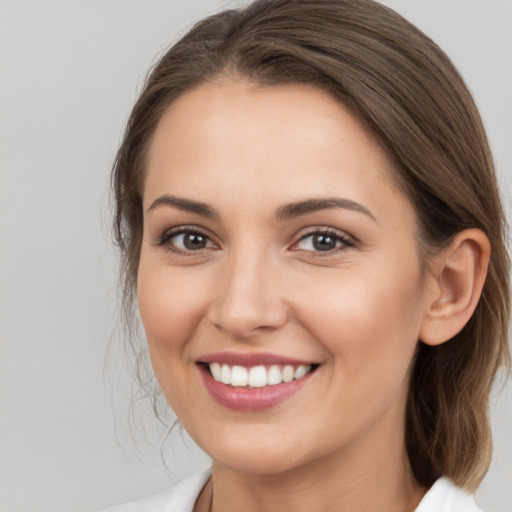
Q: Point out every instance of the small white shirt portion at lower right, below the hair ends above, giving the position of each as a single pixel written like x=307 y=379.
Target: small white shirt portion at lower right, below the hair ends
x=444 y=496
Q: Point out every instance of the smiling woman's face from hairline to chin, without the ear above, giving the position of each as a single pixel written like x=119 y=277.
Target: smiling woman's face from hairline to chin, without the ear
x=280 y=284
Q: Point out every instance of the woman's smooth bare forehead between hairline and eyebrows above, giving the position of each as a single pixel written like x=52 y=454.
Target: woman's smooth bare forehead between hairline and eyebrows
x=262 y=141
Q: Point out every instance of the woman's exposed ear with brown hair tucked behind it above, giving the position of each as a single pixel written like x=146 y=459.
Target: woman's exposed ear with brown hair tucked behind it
x=455 y=285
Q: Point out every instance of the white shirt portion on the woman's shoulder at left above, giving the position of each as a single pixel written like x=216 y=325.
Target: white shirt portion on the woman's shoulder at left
x=179 y=498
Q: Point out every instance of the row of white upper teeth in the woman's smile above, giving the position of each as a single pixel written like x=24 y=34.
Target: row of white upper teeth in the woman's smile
x=257 y=376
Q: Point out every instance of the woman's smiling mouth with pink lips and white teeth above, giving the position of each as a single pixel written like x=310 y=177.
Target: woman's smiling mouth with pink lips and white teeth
x=253 y=382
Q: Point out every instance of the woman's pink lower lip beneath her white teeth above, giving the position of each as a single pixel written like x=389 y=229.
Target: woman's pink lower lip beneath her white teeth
x=251 y=399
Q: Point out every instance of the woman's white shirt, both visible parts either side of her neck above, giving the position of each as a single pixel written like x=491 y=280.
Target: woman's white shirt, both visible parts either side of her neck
x=443 y=496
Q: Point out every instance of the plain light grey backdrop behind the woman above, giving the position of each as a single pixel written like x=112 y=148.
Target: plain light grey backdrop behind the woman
x=69 y=73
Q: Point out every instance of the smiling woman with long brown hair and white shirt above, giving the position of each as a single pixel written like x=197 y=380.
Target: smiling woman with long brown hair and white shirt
x=309 y=218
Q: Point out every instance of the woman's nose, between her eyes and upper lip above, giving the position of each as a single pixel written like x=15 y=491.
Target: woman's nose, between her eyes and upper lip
x=249 y=299
